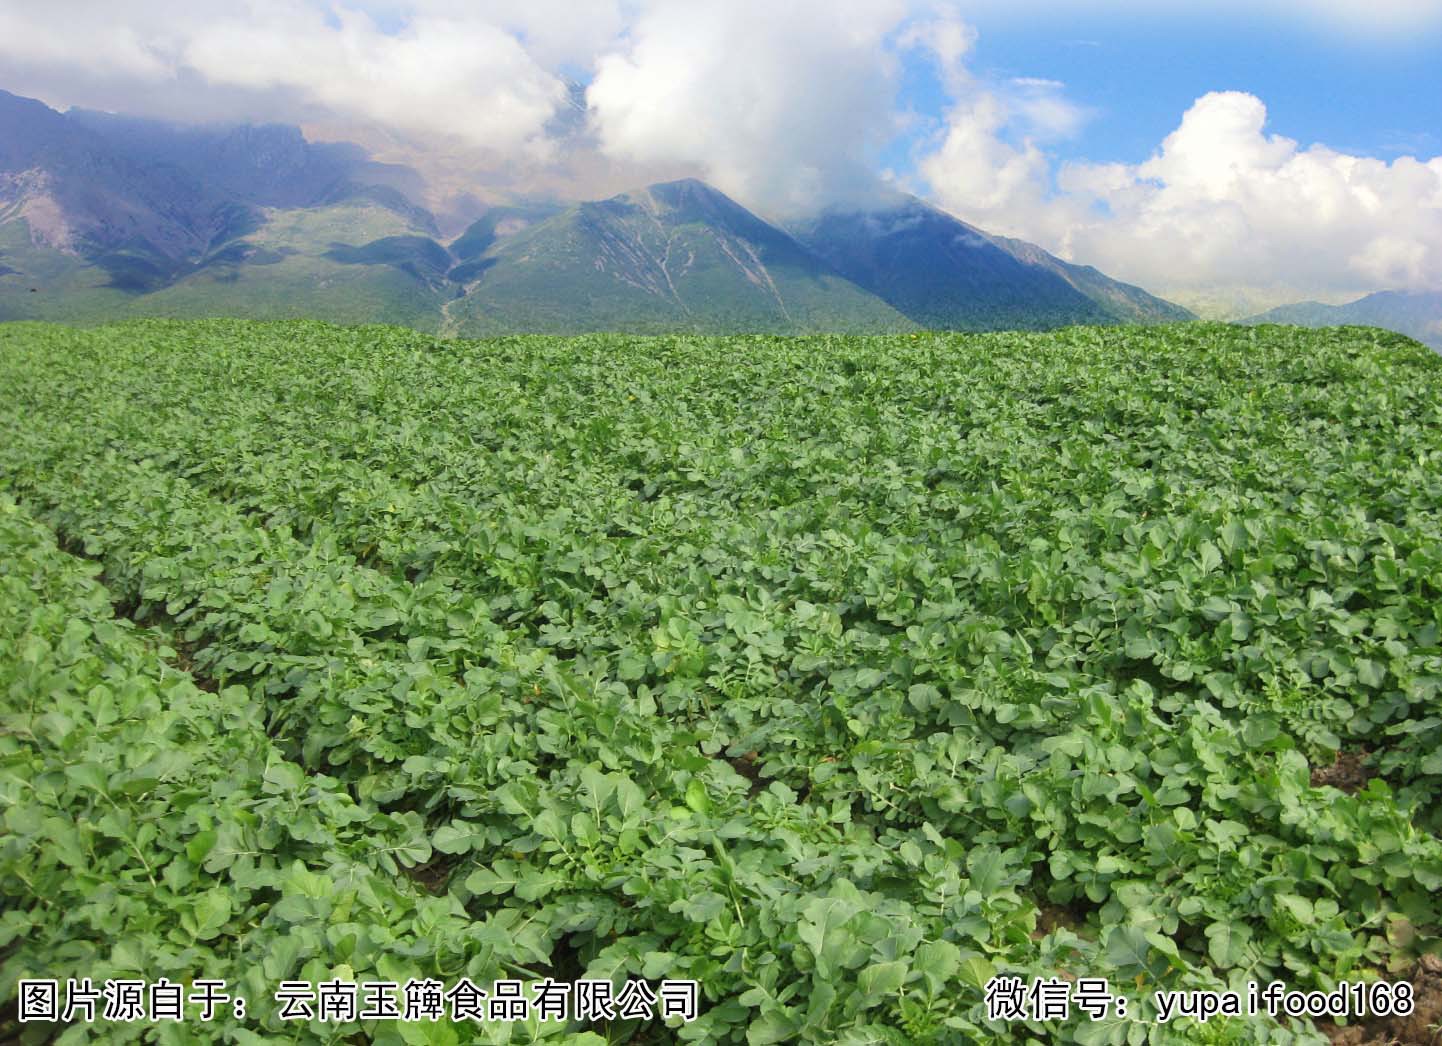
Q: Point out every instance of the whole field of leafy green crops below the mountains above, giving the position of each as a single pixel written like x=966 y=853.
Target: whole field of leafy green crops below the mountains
x=839 y=676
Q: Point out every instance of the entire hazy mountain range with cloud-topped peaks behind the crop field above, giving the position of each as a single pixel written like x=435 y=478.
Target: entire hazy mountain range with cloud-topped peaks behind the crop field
x=105 y=216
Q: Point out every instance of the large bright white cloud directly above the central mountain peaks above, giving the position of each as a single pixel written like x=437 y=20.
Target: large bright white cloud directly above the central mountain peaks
x=778 y=103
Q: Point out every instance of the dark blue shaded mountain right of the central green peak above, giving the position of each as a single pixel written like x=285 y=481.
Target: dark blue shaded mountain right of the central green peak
x=944 y=273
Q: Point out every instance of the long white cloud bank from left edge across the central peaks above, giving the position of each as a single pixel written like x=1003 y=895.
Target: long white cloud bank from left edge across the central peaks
x=782 y=105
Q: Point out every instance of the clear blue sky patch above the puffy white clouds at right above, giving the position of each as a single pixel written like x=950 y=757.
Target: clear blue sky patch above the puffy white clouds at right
x=1137 y=74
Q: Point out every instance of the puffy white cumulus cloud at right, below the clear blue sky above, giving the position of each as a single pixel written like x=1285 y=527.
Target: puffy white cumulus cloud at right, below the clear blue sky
x=1224 y=213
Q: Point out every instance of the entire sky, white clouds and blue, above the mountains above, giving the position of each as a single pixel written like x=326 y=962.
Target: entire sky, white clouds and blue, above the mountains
x=1229 y=155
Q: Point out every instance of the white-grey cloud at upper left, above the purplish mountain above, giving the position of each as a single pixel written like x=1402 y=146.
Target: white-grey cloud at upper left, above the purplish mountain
x=446 y=71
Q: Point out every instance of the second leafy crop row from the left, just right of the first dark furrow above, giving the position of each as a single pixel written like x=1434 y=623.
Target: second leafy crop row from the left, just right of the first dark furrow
x=634 y=879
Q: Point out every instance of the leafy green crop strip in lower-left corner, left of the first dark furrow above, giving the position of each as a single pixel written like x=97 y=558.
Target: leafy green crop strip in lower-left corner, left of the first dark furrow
x=154 y=830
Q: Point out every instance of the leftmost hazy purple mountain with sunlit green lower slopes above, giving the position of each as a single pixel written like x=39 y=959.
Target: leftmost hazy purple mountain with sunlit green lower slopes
x=105 y=217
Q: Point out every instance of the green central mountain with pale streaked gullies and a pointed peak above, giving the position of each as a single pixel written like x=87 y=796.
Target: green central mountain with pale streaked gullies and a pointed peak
x=677 y=256
